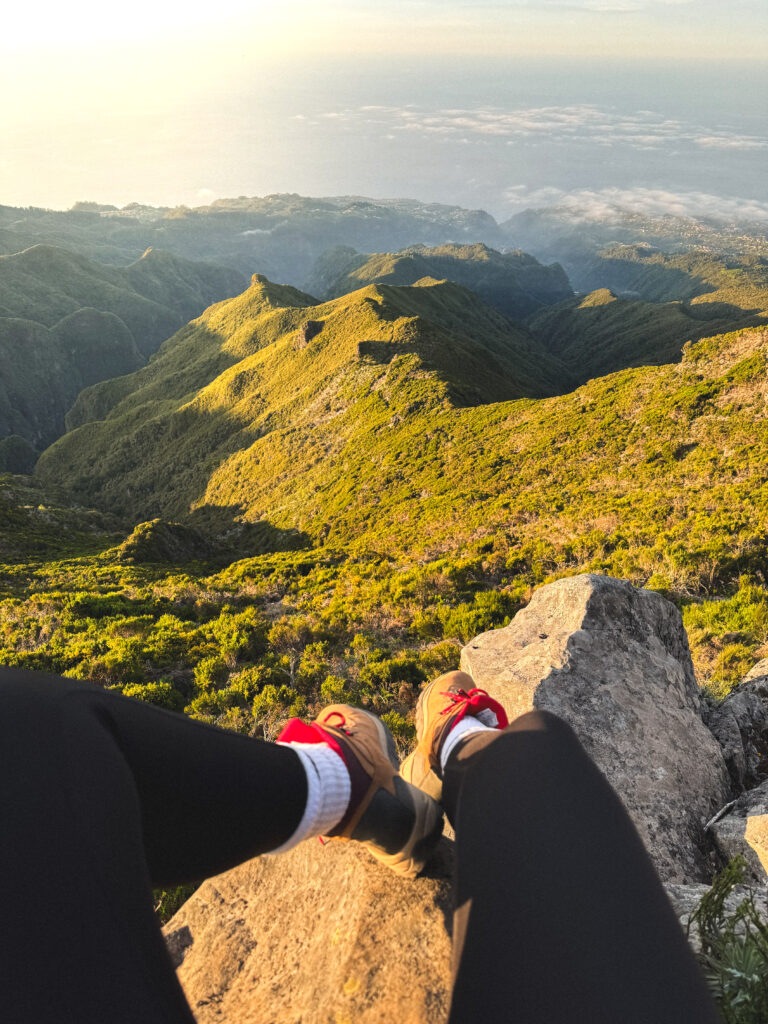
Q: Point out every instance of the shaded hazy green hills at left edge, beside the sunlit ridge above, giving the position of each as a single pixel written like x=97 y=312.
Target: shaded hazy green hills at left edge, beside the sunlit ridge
x=67 y=322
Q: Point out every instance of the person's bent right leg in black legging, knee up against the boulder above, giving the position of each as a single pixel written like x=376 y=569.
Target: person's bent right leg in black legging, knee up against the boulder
x=561 y=916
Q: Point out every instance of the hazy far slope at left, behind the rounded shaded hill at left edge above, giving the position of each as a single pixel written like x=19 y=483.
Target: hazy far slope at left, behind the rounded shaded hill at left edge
x=154 y=296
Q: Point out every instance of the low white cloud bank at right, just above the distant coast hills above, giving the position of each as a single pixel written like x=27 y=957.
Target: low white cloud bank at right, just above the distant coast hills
x=586 y=205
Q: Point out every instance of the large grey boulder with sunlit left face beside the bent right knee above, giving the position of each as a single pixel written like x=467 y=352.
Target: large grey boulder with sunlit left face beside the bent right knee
x=614 y=662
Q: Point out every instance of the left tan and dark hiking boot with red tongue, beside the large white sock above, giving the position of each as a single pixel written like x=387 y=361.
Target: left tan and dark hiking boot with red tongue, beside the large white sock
x=398 y=823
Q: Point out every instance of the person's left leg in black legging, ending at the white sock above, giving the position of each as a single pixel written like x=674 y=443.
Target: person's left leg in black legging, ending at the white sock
x=102 y=798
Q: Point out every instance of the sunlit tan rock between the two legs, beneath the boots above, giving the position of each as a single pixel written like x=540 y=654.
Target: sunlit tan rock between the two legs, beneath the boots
x=320 y=934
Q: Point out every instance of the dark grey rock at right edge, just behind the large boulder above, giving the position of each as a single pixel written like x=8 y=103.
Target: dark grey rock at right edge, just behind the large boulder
x=741 y=727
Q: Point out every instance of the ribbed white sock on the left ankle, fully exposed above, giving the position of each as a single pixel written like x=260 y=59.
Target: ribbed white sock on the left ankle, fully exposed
x=328 y=795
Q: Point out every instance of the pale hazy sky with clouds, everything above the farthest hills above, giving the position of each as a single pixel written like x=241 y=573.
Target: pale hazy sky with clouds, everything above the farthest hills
x=480 y=104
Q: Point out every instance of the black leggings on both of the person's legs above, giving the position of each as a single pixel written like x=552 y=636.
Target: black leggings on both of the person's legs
x=561 y=916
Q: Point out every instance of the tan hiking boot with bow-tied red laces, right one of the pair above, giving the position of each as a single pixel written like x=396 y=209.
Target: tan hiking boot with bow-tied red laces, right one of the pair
x=442 y=705
